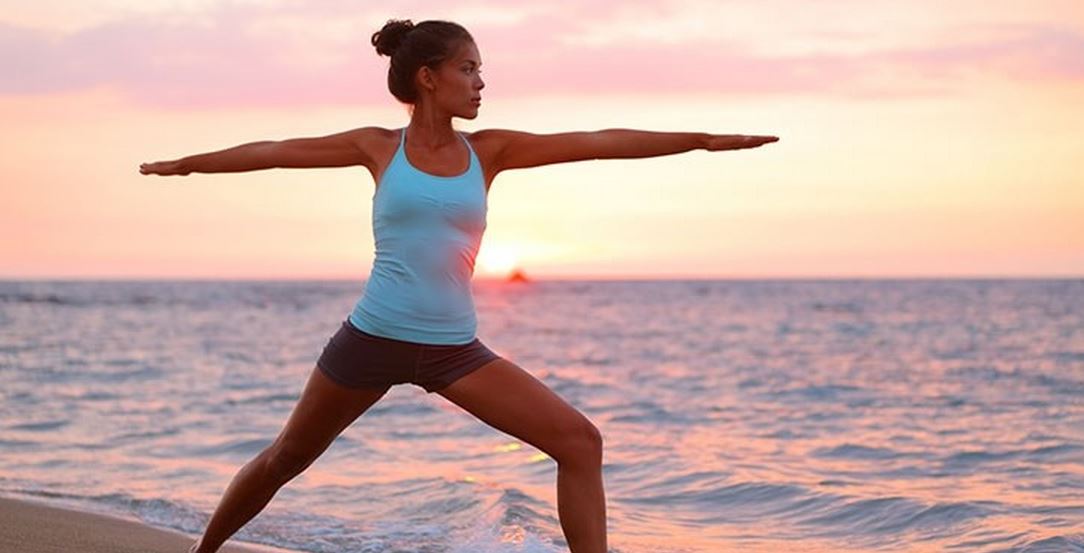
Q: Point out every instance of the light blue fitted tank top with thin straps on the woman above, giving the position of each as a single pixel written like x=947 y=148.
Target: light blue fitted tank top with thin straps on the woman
x=428 y=230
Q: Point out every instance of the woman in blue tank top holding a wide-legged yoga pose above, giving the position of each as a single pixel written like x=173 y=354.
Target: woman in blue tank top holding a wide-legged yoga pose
x=416 y=323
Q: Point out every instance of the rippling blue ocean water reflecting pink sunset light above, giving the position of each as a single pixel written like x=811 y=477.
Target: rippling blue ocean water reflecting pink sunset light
x=756 y=416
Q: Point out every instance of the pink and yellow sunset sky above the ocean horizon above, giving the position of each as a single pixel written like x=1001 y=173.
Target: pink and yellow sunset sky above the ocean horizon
x=918 y=139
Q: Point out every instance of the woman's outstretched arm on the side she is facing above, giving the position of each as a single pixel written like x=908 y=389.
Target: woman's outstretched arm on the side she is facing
x=515 y=150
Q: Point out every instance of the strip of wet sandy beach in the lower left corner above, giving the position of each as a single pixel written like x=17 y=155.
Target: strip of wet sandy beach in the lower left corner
x=32 y=528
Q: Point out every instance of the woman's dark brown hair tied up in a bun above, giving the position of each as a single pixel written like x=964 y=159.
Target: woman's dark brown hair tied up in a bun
x=411 y=47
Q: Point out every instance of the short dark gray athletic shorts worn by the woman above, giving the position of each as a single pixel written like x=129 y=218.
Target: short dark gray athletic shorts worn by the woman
x=357 y=359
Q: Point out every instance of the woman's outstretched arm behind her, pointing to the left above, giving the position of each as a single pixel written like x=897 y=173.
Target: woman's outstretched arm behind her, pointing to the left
x=341 y=150
